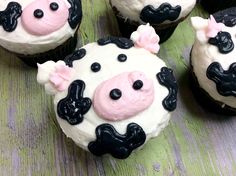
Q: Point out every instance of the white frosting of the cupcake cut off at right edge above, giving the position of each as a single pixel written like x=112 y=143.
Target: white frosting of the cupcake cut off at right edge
x=203 y=54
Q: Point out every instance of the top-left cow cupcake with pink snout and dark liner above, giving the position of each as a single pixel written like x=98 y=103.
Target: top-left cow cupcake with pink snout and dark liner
x=39 y=30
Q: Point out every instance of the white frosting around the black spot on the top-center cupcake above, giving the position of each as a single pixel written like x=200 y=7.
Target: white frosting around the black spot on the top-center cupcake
x=131 y=9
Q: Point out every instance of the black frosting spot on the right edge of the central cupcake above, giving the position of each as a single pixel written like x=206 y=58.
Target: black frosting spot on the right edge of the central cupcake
x=167 y=79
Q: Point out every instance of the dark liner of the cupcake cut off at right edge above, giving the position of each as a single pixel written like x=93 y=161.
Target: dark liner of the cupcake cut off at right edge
x=206 y=101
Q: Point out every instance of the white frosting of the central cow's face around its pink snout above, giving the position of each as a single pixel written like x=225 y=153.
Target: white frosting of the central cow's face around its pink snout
x=152 y=120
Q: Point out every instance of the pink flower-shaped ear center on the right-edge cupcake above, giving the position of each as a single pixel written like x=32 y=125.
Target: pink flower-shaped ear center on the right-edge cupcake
x=213 y=27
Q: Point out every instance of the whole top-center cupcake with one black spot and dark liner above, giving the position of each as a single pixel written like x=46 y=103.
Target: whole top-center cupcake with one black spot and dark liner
x=163 y=15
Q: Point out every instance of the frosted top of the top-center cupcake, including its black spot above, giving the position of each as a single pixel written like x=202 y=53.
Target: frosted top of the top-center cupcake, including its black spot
x=154 y=11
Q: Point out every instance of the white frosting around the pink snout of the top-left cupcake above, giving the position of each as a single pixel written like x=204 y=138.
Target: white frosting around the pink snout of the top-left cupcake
x=20 y=41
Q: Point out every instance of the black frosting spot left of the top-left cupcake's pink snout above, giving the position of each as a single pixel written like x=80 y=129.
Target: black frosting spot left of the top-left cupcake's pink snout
x=8 y=17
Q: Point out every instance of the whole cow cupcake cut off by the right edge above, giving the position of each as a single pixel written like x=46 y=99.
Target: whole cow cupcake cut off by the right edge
x=213 y=61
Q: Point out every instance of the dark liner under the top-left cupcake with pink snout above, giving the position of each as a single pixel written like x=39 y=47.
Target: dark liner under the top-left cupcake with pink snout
x=56 y=54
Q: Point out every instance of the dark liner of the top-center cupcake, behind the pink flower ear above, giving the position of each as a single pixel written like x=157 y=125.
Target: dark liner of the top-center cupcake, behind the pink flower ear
x=126 y=28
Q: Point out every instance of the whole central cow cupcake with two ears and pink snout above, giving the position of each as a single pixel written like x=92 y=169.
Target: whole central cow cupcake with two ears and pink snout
x=113 y=95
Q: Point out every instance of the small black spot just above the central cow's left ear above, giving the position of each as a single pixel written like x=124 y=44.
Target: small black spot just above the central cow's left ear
x=76 y=55
